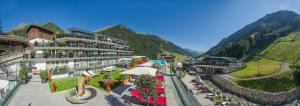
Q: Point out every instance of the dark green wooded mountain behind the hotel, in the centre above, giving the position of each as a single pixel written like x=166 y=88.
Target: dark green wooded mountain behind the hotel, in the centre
x=143 y=44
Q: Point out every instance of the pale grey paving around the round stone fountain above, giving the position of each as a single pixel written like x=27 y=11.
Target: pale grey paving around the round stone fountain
x=37 y=94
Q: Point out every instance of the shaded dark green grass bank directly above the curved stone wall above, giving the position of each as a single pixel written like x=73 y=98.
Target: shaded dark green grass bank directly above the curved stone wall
x=281 y=83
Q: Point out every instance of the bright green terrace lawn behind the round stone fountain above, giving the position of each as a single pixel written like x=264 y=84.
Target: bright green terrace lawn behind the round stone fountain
x=68 y=83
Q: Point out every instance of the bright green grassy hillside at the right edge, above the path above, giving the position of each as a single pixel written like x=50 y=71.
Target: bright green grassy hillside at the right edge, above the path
x=285 y=49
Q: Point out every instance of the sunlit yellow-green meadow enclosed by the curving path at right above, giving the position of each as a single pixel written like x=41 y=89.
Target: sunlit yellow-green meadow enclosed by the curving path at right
x=266 y=67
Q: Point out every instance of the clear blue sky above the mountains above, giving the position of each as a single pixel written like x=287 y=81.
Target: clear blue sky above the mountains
x=195 y=24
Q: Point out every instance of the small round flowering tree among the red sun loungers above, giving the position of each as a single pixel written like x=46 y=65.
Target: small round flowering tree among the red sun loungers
x=146 y=85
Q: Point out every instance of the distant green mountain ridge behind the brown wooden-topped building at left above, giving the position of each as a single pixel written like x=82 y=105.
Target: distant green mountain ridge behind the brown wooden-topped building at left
x=22 y=28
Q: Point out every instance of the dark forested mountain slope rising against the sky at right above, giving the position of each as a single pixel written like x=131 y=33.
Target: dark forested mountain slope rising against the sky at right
x=255 y=37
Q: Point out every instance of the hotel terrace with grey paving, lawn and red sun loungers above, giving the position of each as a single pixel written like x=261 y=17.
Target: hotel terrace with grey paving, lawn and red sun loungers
x=121 y=93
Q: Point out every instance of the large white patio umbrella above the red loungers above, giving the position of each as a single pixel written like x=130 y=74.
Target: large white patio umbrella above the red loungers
x=141 y=70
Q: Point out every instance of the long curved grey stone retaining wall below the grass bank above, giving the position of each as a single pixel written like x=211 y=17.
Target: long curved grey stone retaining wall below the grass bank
x=255 y=95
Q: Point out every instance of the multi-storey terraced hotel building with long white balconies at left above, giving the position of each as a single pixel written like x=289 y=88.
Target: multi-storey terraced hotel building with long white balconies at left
x=78 y=50
